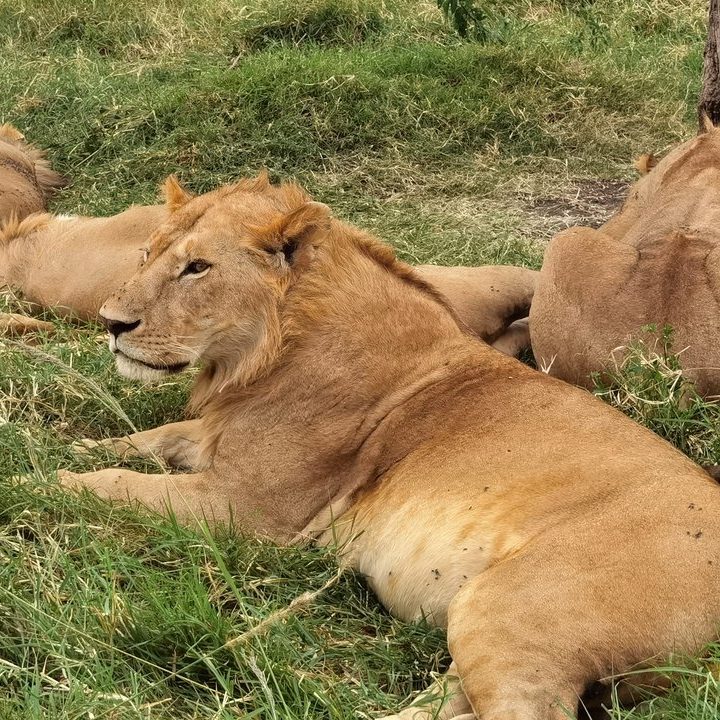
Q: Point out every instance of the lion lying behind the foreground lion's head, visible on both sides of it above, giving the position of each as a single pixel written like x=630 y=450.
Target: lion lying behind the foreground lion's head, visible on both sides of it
x=72 y=264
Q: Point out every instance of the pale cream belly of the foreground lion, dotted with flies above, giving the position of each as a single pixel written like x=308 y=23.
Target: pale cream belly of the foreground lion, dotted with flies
x=418 y=553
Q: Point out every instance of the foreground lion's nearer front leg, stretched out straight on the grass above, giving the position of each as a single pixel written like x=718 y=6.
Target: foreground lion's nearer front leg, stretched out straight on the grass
x=188 y=497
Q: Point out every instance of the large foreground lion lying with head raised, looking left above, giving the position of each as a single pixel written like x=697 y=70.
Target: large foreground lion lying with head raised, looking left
x=557 y=541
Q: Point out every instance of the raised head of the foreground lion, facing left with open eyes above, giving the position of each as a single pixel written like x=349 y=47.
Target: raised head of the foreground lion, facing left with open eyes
x=213 y=281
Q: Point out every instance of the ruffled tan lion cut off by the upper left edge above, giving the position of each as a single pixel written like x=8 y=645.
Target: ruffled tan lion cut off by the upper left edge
x=26 y=179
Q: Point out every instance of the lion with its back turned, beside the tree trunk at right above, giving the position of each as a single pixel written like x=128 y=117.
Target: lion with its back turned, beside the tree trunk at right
x=656 y=262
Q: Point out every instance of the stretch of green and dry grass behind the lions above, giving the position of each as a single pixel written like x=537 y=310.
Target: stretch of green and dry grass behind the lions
x=455 y=142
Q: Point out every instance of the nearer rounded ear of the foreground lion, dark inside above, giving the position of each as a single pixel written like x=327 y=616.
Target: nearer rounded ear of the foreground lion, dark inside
x=291 y=238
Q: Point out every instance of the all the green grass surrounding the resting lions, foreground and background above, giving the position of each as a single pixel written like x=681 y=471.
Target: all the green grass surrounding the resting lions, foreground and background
x=454 y=152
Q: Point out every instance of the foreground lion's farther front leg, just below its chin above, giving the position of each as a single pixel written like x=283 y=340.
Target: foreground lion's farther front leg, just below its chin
x=178 y=444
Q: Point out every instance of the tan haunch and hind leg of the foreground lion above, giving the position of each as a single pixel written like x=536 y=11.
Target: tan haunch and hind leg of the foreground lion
x=532 y=633
